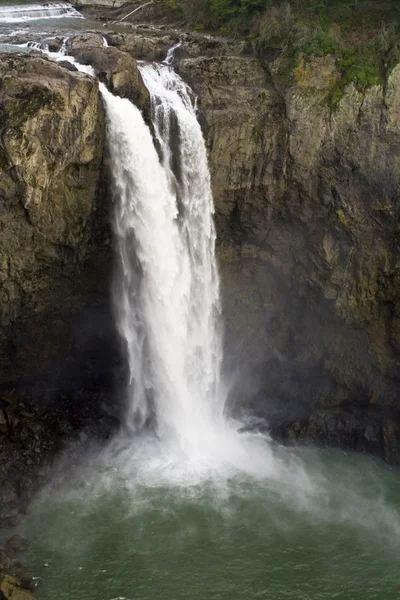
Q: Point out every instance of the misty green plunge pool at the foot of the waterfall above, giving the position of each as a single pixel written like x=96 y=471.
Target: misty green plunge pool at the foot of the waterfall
x=327 y=529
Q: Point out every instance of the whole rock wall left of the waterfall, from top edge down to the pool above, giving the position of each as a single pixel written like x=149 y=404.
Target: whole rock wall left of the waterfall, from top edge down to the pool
x=55 y=254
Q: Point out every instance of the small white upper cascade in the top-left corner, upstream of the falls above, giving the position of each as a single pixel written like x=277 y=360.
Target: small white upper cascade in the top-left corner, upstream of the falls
x=30 y=12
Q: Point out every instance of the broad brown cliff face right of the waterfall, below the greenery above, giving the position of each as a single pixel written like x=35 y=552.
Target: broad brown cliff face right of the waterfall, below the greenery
x=307 y=210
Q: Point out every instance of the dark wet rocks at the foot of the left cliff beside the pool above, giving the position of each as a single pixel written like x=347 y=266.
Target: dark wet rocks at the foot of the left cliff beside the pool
x=45 y=430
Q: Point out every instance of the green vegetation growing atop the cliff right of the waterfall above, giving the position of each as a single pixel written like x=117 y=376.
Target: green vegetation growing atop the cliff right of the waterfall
x=362 y=35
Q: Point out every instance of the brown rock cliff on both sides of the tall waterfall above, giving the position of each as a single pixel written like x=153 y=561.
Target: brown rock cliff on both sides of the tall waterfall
x=306 y=195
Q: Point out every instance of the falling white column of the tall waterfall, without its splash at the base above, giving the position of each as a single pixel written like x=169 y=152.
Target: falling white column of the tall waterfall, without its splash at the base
x=167 y=290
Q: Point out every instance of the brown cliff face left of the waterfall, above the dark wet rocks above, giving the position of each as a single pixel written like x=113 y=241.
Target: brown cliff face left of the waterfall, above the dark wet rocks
x=54 y=246
